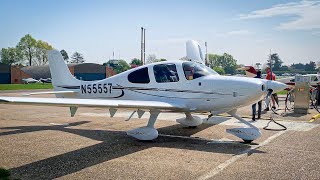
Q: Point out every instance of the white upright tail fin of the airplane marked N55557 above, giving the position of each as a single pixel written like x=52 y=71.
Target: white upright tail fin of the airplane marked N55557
x=60 y=73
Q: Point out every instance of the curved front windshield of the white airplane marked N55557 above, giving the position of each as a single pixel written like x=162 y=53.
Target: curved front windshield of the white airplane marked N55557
x=194 y=70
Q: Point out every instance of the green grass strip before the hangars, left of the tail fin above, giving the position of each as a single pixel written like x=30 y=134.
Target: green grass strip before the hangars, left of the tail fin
x=25 y=86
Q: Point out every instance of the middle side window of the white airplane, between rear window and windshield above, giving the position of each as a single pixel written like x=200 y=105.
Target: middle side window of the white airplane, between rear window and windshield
x=165 y=73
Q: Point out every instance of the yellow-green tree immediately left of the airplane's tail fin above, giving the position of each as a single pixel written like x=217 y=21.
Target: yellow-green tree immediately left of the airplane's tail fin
x=41 y=55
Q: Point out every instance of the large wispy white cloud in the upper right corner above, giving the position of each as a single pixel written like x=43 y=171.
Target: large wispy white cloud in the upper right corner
x=306 y=13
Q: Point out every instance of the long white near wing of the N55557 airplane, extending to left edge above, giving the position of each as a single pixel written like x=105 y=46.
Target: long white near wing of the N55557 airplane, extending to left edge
x=106 y=103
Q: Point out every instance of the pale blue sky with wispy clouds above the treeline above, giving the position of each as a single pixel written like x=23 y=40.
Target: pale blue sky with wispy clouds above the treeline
x=247 y=29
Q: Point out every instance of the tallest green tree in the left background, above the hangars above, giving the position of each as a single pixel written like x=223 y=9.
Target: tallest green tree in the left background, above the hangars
x=27 y=46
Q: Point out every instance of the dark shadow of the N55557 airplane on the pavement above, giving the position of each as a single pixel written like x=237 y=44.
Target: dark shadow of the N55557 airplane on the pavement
x=114 y=144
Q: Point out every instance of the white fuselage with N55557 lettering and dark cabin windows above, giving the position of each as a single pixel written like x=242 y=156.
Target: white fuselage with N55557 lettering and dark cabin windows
x=196 y=86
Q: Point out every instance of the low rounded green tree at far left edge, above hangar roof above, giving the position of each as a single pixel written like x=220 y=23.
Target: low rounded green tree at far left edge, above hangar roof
x=11 y=56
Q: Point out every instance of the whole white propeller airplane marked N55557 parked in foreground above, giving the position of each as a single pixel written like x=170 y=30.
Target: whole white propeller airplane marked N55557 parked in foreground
x=170 y=86
